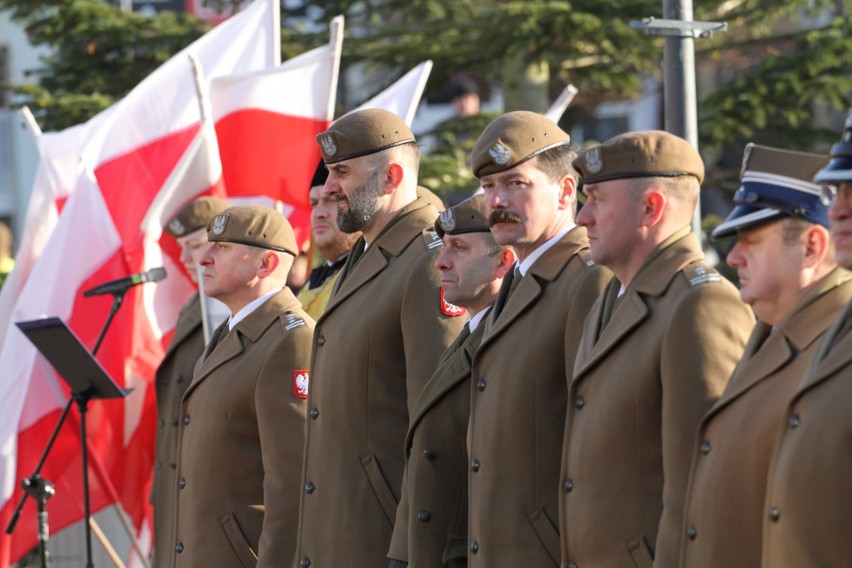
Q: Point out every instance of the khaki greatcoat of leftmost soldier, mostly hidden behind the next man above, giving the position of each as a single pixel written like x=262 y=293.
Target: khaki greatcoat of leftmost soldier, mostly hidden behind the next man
x=172 y=379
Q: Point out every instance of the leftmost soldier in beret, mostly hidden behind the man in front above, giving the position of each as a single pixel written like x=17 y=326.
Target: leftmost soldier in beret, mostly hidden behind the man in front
x=189 y=228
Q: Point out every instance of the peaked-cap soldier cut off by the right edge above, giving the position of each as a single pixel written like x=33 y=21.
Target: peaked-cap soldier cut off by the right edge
x=809 y=493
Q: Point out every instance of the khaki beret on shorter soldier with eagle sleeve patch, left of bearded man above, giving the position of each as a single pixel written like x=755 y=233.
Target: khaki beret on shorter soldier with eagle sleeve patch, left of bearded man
x=255 y=225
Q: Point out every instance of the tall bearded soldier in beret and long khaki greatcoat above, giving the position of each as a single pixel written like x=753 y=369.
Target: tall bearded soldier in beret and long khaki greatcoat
x=375 y=346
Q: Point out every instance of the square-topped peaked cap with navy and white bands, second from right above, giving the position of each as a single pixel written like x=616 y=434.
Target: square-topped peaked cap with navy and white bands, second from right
x=775 y=183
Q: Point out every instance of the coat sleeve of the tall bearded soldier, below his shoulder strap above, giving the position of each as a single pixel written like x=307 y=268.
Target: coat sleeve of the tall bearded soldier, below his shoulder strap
x=426 y=330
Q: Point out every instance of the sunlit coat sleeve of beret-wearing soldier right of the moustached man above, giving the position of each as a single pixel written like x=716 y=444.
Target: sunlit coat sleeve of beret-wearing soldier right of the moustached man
x=704 y=341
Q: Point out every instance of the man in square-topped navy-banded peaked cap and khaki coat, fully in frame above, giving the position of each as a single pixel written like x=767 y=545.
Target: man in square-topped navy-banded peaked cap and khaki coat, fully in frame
x=788 y=274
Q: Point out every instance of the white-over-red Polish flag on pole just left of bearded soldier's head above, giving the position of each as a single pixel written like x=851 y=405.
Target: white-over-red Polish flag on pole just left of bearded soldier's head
x=267 y=123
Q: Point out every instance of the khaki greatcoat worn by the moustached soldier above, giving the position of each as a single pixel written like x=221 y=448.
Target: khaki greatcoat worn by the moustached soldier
x=518 y=407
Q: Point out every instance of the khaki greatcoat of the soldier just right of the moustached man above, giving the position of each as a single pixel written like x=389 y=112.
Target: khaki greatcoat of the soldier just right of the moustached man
x=640 y=387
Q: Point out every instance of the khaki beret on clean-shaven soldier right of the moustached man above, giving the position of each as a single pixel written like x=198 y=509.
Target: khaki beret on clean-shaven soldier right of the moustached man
x=649 y=153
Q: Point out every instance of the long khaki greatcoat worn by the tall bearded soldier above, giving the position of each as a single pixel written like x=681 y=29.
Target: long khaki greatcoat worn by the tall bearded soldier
x=375 y=346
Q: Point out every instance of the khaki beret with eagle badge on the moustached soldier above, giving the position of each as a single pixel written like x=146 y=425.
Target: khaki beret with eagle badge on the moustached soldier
x=514 y=138
